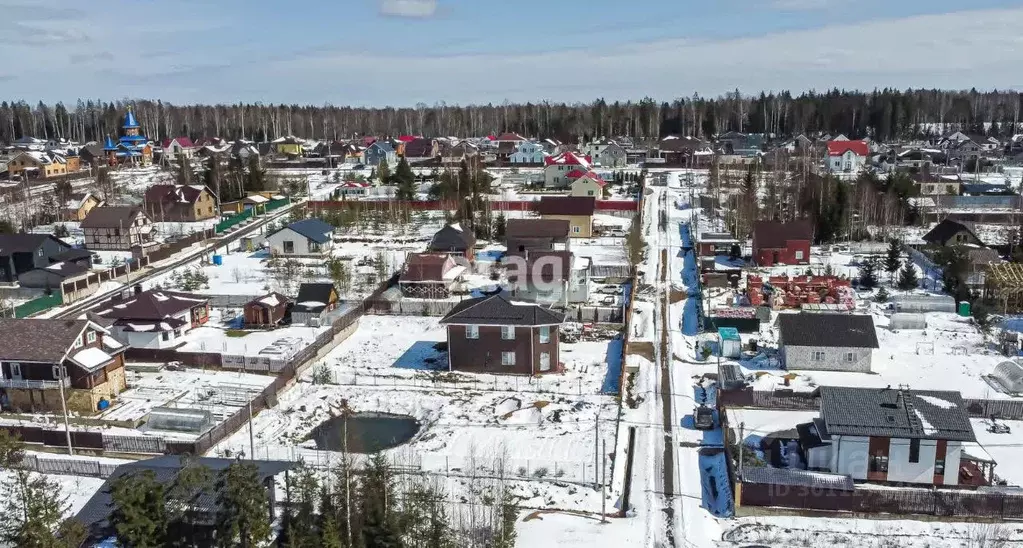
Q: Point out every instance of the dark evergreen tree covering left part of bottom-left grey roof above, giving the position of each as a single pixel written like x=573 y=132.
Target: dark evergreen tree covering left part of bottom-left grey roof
x=139 y=517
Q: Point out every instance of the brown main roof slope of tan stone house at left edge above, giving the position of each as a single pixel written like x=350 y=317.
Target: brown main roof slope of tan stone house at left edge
x=38 y=340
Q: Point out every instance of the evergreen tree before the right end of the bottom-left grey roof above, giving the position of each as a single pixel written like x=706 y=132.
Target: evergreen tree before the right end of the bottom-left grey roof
x=244 y=518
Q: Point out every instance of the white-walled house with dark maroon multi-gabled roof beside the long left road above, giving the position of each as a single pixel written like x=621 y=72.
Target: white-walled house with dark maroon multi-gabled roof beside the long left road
x=157 y=318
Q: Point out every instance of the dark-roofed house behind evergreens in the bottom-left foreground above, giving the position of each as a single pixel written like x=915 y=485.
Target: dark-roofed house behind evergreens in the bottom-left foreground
x=204 y=506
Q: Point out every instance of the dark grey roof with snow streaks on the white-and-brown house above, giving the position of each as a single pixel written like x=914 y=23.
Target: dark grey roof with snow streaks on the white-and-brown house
x=896 y=414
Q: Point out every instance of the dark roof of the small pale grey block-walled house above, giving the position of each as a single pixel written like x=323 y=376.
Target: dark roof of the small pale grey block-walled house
x=847 y=331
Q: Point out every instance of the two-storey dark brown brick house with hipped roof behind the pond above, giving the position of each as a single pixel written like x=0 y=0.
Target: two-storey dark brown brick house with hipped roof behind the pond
x=493 y=335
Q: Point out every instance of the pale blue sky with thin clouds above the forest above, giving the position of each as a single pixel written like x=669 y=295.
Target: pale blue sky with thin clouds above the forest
x=404 y=53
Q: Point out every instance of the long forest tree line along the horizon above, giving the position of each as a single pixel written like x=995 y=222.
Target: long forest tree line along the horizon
x=881 y=115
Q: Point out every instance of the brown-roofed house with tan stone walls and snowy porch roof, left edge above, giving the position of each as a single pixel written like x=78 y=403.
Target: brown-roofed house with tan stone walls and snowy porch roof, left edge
x=46 y=364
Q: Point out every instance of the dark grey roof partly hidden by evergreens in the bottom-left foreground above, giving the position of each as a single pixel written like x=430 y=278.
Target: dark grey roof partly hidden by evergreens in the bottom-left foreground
x=97 y=513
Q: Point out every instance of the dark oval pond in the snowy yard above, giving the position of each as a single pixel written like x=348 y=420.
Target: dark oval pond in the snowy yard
x=368 y=433
